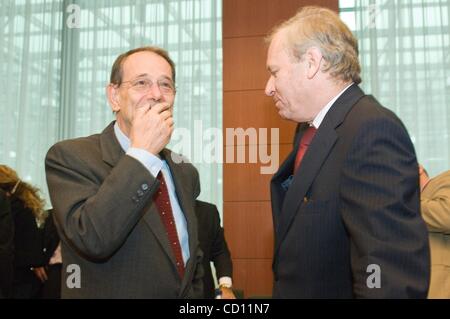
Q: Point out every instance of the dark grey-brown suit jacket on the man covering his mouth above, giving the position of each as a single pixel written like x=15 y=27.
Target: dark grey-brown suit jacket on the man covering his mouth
x=110 y=226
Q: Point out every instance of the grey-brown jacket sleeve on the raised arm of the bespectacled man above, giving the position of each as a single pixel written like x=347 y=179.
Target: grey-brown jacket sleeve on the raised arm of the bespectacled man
x=96 y=214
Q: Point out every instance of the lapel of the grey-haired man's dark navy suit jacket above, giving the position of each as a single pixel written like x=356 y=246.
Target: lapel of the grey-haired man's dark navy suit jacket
x=314 y=158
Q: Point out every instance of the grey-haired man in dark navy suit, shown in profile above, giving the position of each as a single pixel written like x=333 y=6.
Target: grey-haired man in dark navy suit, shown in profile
x=346 y=200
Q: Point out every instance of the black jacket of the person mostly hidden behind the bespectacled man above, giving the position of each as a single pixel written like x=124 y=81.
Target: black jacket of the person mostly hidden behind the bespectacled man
x=213 y=245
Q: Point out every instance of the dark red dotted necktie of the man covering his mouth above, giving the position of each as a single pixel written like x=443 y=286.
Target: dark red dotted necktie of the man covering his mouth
x=162 y=201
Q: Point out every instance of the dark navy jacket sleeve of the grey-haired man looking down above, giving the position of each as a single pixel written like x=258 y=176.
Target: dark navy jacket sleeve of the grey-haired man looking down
x=381 y=212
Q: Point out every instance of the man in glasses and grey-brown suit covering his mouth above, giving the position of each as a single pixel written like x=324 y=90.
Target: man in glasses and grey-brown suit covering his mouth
x=123 y=206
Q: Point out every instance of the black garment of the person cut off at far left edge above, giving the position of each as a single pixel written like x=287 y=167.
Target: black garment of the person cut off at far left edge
x=6 y=246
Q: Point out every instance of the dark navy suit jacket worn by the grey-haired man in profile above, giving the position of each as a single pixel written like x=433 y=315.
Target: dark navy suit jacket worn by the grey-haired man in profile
x=353 y=202
